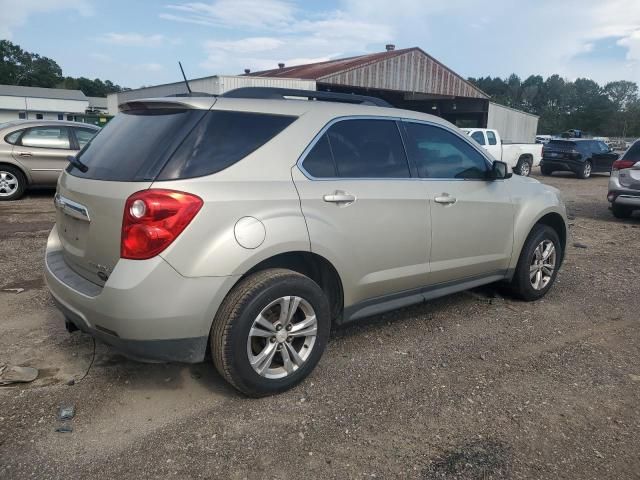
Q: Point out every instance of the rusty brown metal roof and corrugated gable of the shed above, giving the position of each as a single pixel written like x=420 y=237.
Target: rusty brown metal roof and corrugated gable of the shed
x=407 y=70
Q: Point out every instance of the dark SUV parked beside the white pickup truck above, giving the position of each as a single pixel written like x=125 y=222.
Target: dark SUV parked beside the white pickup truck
x=583 y=157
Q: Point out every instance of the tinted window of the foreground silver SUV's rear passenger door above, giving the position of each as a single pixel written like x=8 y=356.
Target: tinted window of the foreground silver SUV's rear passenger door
x=359 y=149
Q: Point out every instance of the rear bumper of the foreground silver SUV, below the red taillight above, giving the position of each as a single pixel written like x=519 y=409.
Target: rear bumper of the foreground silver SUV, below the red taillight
x=146 y=309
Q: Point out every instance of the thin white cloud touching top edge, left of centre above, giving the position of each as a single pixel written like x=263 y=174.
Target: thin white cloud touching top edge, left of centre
x=254 y=14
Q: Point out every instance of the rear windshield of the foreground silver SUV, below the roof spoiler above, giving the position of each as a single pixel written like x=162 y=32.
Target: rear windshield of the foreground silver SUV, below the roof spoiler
x=136 y=144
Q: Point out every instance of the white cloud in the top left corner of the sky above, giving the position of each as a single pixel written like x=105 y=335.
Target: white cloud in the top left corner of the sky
x=16 y=13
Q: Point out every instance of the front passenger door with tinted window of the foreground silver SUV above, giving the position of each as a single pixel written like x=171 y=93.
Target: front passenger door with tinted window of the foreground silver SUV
x=471 y=217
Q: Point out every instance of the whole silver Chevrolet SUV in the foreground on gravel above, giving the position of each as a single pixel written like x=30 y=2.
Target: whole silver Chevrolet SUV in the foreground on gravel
x=249 y=224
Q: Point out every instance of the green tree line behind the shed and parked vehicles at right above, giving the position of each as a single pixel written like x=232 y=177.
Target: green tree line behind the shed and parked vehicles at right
x=612 y=110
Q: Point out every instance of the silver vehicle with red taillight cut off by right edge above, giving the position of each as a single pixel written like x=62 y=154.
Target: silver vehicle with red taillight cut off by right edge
x=624 y=183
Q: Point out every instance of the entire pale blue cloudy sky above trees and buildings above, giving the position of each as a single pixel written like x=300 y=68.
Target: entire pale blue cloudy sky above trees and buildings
x=138 y=42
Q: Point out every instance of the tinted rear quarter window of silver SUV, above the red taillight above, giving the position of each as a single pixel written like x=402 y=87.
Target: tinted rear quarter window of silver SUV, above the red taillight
x=221 y=139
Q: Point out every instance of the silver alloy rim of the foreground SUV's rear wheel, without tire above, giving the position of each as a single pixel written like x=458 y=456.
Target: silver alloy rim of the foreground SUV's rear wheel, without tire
x=282 y=337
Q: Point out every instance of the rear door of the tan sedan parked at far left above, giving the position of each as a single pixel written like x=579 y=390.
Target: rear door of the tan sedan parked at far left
x=43 y=150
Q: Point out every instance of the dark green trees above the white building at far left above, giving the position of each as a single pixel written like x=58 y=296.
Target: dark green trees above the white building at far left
x=18 y=67
